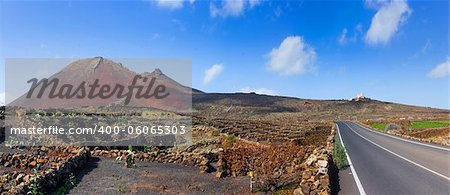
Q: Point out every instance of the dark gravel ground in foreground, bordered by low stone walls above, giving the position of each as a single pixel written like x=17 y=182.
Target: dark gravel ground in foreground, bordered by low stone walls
x=107 y=176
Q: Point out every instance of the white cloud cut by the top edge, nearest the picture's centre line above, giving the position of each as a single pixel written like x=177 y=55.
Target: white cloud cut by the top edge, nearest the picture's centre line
x=231 y=8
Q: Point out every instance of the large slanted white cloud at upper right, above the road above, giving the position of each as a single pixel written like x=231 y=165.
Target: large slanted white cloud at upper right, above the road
x=386 y=21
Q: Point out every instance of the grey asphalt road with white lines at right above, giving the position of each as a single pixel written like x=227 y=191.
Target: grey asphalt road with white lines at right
x=384 y=164
